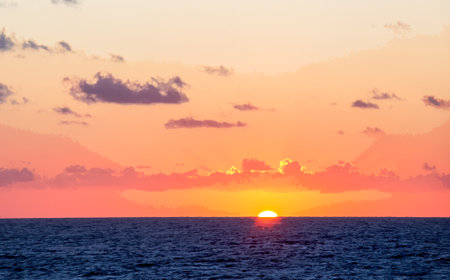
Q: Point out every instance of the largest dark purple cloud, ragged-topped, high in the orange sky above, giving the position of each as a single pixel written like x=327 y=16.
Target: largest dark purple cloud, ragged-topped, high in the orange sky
x=106 y=88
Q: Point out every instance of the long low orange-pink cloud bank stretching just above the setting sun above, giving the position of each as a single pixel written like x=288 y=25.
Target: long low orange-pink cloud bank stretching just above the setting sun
x=291 y=175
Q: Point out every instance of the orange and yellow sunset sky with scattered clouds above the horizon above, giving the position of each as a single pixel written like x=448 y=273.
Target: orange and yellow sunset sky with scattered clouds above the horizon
x=224 y=108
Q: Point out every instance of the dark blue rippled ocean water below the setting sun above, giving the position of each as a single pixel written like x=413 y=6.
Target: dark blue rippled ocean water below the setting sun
x=225 y=248
